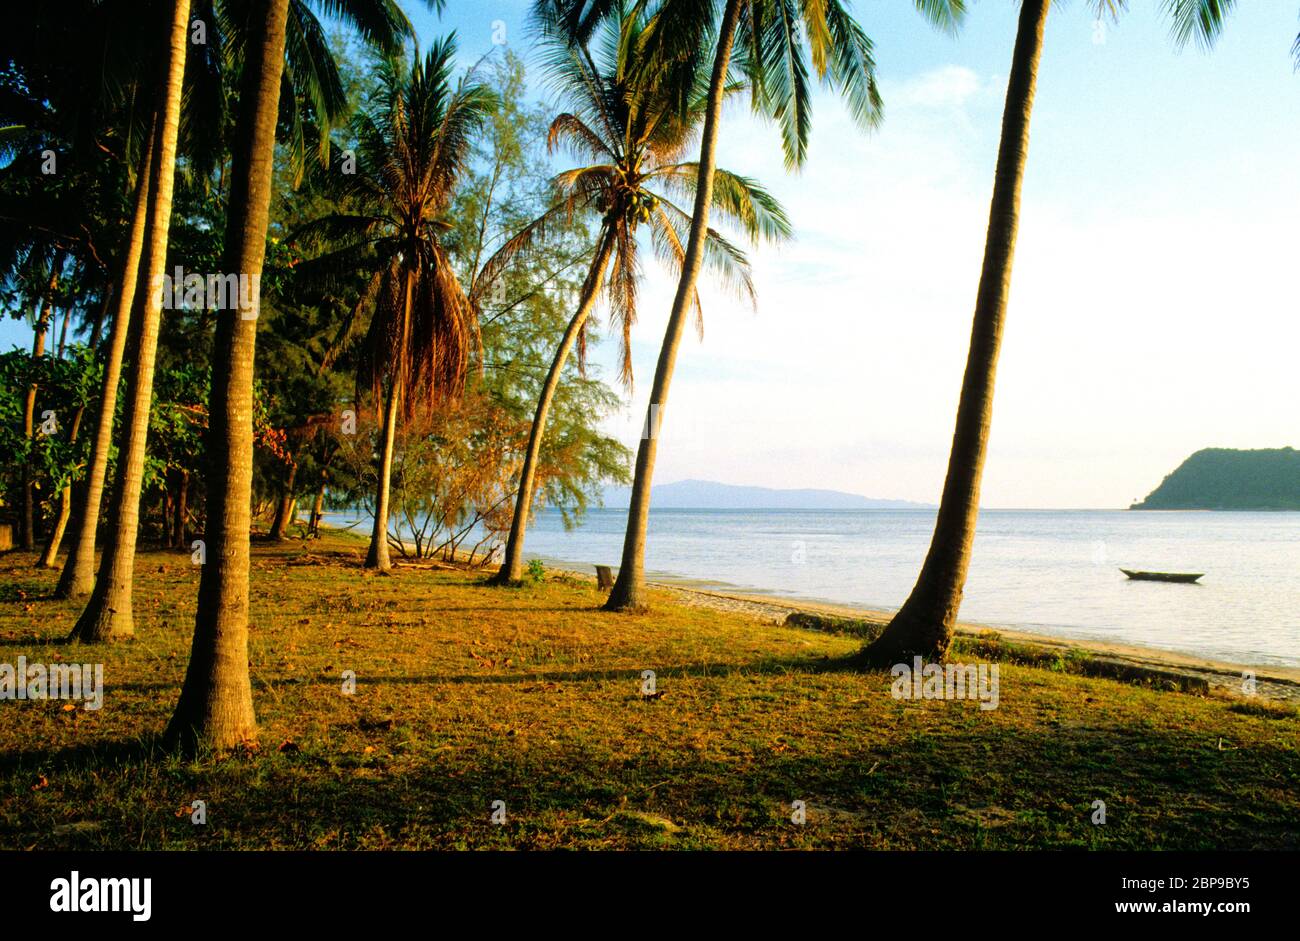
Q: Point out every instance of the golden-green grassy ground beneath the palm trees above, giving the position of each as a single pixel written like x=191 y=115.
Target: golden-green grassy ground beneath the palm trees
x=467 y=695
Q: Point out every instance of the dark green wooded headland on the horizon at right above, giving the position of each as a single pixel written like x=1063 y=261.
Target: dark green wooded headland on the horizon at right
x=1223 y=479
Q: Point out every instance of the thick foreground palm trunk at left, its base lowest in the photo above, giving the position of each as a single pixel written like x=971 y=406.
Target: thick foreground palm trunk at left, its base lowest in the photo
x=216 y=700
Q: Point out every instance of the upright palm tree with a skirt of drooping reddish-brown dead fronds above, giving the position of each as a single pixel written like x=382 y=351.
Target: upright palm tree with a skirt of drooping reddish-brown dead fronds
x=414 y=144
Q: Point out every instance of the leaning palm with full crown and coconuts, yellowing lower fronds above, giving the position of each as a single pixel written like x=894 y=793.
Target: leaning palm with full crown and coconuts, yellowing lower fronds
x=627 y=124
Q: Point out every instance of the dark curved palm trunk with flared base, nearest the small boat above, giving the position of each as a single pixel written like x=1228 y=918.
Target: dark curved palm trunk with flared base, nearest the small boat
x=924 y=627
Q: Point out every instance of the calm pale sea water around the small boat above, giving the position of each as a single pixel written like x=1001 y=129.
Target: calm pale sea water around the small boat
x=1054 y=573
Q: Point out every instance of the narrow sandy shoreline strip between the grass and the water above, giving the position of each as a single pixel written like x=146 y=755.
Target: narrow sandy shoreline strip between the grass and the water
x=1275 y=683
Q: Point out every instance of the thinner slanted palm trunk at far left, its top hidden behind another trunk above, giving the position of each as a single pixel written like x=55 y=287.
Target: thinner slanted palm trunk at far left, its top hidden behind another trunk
x=79 y=575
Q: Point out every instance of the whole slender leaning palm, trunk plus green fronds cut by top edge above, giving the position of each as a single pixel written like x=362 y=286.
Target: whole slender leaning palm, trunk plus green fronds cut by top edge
x=772 y=42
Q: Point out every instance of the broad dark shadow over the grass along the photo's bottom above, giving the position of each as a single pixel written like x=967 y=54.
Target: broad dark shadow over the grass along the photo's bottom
x=896 y=787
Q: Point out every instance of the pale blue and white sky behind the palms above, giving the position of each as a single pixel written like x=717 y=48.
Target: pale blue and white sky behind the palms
x=1154 y=309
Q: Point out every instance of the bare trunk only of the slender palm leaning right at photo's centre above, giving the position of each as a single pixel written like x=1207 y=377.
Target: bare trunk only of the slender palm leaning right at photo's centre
x=629 y=592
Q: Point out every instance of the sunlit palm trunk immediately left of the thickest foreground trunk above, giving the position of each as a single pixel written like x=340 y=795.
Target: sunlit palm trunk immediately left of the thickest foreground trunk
x=109 y=613
